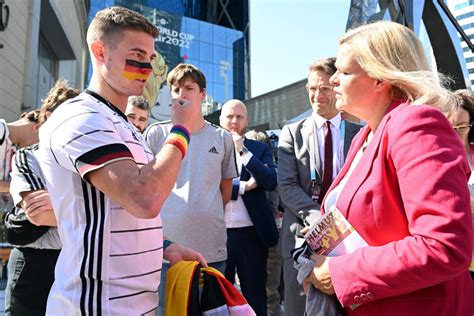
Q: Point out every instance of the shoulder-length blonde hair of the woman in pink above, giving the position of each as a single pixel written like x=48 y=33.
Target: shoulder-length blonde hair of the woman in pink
x=391 y=52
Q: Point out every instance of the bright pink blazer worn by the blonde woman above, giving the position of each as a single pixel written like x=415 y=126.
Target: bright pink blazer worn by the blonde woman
x=408 y=198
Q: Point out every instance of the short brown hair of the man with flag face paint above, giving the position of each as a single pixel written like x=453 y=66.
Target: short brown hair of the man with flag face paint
x=108 y=25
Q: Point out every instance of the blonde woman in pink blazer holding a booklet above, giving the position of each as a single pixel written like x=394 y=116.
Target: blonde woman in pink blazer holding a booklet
x=403 y=186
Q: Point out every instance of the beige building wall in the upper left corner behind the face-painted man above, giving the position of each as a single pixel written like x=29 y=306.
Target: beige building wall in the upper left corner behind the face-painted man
x=22 y=84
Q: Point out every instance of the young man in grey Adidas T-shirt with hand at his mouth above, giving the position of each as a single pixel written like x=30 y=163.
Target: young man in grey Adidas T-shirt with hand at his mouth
x=193 y=214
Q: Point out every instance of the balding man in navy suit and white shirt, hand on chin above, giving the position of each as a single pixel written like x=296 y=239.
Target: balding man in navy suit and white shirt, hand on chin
x=251 y=228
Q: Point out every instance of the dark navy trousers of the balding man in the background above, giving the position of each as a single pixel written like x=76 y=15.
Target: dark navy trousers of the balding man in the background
x=247 y=256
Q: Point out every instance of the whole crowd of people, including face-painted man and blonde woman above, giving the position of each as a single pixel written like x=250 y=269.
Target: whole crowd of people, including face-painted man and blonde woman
x=102 y=205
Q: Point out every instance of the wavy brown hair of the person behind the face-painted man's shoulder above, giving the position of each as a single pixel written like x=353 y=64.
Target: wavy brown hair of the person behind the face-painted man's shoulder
x=59 y=93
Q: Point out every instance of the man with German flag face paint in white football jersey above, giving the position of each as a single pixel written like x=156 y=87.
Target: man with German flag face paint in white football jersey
x=105 y=185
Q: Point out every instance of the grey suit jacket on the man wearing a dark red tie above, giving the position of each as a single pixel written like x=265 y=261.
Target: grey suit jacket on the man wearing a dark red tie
x=294 y=176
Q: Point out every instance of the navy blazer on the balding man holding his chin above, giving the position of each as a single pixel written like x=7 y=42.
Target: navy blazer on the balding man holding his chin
x=263 y=170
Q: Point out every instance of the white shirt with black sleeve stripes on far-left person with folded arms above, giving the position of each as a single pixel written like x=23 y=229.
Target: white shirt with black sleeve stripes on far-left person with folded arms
x=26 y=176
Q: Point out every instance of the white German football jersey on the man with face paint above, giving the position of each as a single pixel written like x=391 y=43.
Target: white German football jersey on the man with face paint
x=110 y=262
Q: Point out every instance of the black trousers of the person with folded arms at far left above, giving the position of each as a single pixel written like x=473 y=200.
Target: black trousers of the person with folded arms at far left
x=30 y=277
